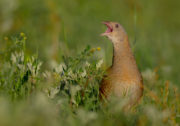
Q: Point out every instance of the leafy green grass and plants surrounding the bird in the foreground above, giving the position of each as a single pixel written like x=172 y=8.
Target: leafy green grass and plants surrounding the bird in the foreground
x=69 y=93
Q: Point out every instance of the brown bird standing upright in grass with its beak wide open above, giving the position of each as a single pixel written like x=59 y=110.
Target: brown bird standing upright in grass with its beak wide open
x=123 y=78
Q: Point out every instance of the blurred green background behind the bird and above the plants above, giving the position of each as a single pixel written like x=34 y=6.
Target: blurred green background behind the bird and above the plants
x=64 y=27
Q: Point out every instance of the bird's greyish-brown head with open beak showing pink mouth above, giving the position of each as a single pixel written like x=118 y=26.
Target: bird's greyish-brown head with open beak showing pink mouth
x=115 y=32
